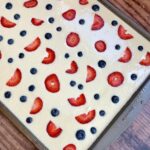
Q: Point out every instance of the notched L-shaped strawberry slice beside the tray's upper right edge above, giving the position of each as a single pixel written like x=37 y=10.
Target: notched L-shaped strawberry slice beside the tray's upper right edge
x=122 y=33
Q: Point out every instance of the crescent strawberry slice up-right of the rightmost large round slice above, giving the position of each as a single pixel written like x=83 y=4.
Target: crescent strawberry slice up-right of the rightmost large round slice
x=127 y=56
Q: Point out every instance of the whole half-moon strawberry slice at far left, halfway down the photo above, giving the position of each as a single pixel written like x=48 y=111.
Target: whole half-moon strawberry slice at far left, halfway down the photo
x=15 y=79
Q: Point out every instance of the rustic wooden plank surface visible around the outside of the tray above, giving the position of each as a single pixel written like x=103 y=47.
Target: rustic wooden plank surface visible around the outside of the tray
x=136 y=137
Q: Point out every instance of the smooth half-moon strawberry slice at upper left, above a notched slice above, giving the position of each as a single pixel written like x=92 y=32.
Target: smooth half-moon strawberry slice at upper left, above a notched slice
x=34 y=45
